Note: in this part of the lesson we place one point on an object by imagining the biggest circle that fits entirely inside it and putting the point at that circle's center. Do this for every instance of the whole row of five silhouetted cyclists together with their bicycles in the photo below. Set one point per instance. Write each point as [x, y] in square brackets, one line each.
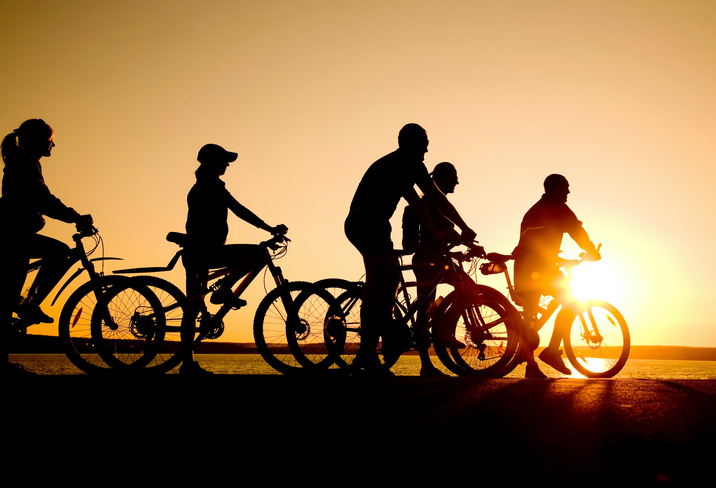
[133, 321]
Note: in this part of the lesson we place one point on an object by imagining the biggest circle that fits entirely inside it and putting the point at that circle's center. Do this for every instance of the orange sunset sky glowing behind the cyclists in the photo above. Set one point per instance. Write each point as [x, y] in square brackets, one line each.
[616, 95]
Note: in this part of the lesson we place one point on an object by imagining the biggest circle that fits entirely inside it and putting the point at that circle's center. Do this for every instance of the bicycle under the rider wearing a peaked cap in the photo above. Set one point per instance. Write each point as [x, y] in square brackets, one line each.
[157, 341]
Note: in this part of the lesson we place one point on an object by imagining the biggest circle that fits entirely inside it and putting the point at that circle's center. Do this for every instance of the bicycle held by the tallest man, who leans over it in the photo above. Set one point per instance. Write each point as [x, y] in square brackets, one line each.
[485, 323]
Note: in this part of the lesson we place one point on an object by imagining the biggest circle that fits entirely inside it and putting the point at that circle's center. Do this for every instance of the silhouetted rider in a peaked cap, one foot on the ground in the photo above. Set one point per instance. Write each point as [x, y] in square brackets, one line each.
[206, 228]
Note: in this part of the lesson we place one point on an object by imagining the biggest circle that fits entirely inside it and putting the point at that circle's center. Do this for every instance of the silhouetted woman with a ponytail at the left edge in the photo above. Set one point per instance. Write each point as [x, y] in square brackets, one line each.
[25, 200]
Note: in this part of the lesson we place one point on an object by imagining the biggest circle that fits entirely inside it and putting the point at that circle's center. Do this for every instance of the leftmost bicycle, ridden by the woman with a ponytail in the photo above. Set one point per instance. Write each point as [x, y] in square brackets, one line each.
[98, 296]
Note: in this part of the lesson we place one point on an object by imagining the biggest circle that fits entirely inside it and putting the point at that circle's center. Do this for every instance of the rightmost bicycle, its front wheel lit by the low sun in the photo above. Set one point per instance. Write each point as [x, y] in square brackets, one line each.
[598, 341]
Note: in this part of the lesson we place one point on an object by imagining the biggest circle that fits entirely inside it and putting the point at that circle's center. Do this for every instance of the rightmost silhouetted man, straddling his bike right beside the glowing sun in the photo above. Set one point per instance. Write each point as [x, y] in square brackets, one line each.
[536, 265]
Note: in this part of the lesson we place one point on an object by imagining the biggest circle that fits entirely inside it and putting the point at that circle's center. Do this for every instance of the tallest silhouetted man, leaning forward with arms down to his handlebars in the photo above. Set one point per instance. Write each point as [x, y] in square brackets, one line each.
[368, 228]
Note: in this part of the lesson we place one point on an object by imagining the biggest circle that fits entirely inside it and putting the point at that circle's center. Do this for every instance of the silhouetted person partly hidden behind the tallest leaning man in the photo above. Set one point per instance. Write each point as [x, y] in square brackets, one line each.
[428, 258]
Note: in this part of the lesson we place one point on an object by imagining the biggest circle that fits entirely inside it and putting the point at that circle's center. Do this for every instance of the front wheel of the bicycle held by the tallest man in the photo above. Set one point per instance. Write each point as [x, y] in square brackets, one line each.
[482, 356]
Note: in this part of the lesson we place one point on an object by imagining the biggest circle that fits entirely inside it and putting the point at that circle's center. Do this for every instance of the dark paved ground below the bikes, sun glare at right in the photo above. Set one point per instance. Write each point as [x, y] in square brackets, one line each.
[353, 431]
